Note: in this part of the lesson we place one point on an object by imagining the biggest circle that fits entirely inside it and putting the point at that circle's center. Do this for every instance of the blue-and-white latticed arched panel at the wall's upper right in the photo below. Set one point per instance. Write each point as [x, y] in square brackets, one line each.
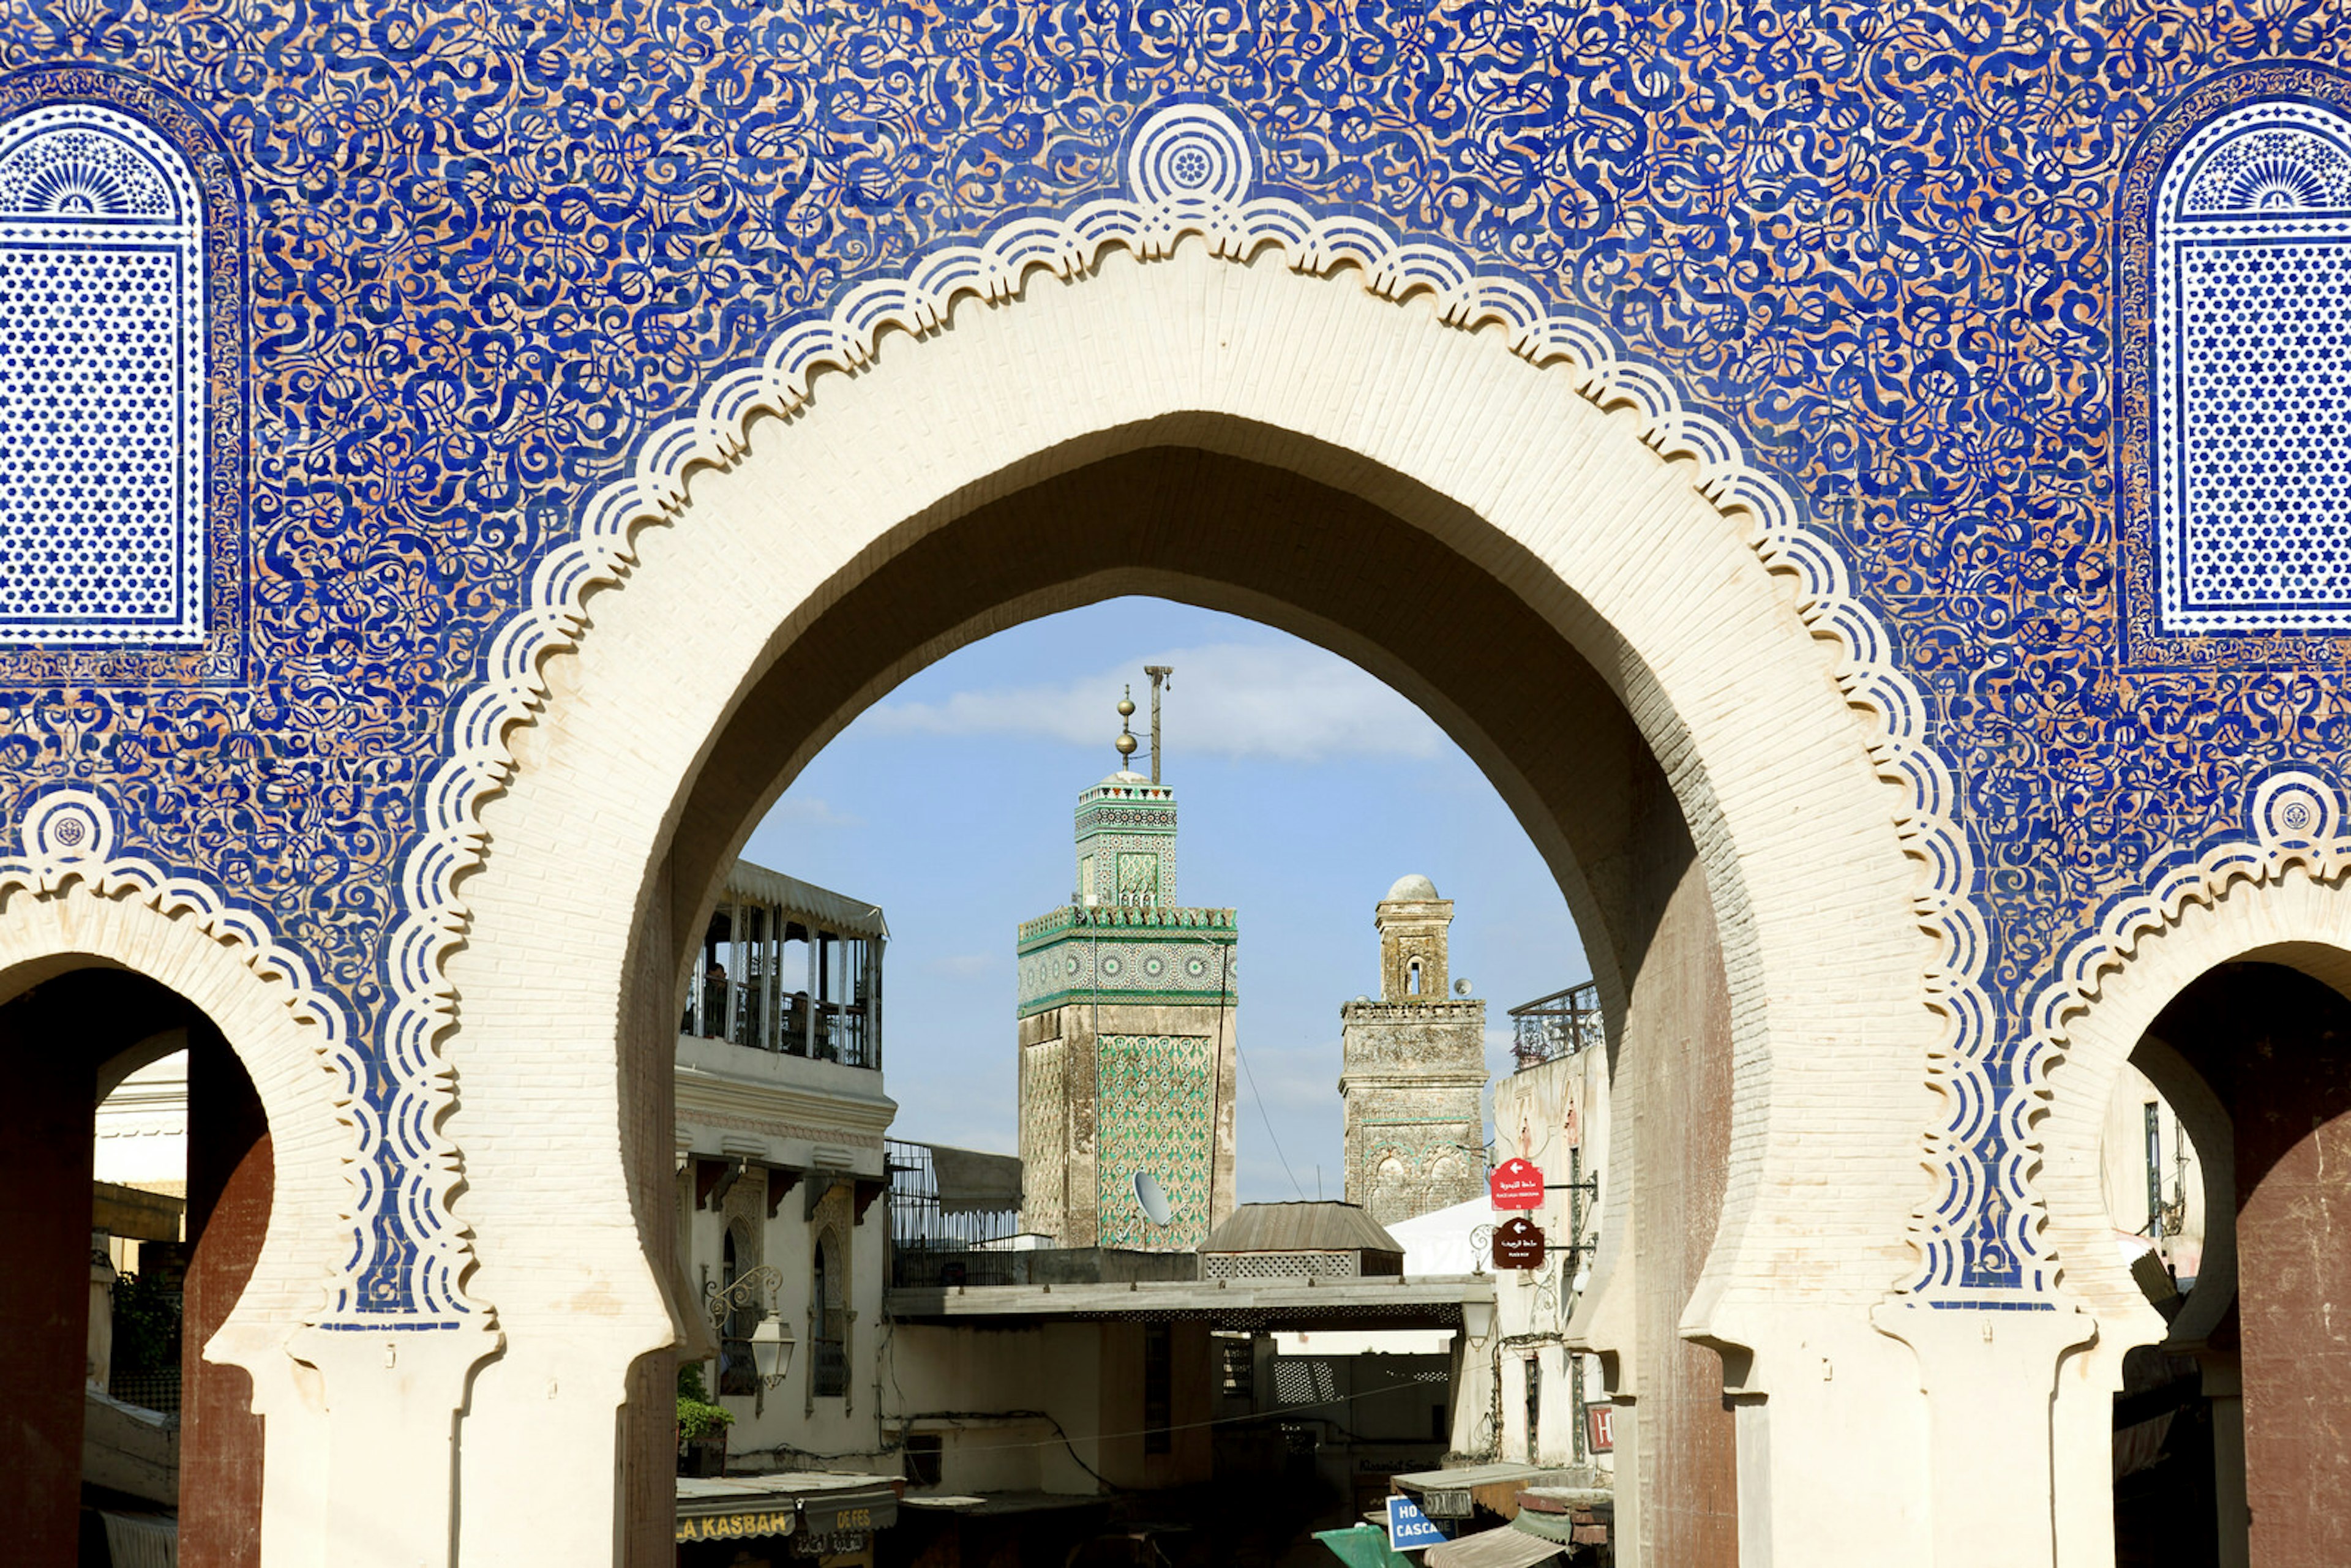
[2251, 326]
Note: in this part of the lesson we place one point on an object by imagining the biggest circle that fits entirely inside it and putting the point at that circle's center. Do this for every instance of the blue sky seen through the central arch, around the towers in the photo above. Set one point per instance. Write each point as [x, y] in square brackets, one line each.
[1306, 789]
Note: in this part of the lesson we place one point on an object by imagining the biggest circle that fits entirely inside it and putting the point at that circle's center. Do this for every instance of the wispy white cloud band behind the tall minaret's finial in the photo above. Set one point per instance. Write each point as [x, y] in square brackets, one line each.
[1228, 699]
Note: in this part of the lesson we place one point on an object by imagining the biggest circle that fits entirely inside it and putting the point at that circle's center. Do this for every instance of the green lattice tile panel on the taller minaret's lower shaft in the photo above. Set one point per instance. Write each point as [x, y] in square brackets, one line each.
[1156, 1111]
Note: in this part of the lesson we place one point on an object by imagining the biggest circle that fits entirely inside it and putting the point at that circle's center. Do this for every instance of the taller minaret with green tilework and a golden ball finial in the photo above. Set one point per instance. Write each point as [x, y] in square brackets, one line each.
[1127, 1038]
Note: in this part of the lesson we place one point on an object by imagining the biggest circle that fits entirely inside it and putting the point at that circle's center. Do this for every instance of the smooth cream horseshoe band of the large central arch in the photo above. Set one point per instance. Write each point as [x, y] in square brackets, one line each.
[1506, 462]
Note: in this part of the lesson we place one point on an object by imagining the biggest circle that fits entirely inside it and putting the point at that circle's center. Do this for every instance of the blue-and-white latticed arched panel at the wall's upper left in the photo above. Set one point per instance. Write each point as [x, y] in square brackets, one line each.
[105, 384]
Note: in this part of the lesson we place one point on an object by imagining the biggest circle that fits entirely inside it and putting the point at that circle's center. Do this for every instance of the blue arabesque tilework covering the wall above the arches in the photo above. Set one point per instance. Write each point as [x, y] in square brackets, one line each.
[457, 260]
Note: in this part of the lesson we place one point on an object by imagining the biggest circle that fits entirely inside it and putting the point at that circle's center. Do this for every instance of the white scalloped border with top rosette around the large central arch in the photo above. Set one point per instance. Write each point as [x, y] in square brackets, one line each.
[1191, 173]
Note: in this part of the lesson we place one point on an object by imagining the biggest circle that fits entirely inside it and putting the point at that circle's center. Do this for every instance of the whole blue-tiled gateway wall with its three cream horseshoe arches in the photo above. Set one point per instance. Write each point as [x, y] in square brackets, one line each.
[1866, 481]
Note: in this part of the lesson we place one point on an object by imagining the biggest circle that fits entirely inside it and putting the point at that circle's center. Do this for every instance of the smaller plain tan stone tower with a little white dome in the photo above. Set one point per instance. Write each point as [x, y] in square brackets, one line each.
[1414, 1071]
